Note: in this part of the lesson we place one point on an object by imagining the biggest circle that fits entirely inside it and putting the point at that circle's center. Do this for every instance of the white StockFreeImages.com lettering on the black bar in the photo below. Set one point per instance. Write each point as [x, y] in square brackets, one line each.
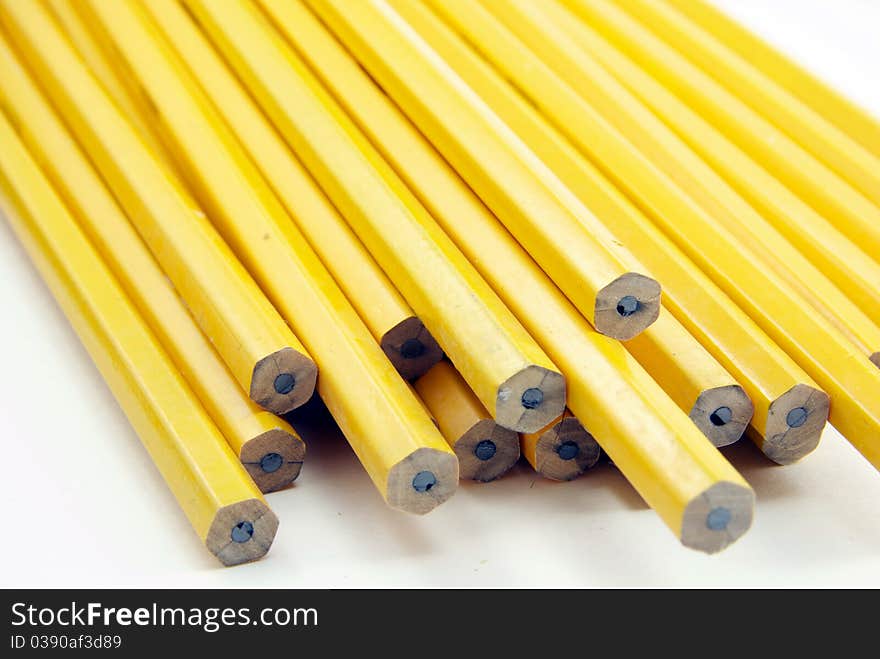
[210, 619]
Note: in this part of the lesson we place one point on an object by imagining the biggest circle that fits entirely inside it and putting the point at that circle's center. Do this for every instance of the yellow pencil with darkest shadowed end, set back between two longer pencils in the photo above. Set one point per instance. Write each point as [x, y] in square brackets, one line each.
[402, 336]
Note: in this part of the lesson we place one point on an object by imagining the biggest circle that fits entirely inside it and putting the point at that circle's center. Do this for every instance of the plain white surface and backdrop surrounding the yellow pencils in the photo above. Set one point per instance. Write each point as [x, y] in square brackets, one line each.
[85, 506]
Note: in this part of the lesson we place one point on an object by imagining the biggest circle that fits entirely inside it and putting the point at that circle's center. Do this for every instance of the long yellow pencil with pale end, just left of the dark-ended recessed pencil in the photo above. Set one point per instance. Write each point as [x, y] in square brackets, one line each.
[404, 454]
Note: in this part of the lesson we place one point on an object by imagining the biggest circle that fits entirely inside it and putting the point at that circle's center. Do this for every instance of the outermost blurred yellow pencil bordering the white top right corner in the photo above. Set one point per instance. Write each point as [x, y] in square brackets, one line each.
[836, 108]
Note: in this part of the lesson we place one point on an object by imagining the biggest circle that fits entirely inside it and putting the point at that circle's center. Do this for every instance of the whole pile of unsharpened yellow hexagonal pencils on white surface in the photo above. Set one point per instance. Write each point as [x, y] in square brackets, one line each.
[452, 219]
